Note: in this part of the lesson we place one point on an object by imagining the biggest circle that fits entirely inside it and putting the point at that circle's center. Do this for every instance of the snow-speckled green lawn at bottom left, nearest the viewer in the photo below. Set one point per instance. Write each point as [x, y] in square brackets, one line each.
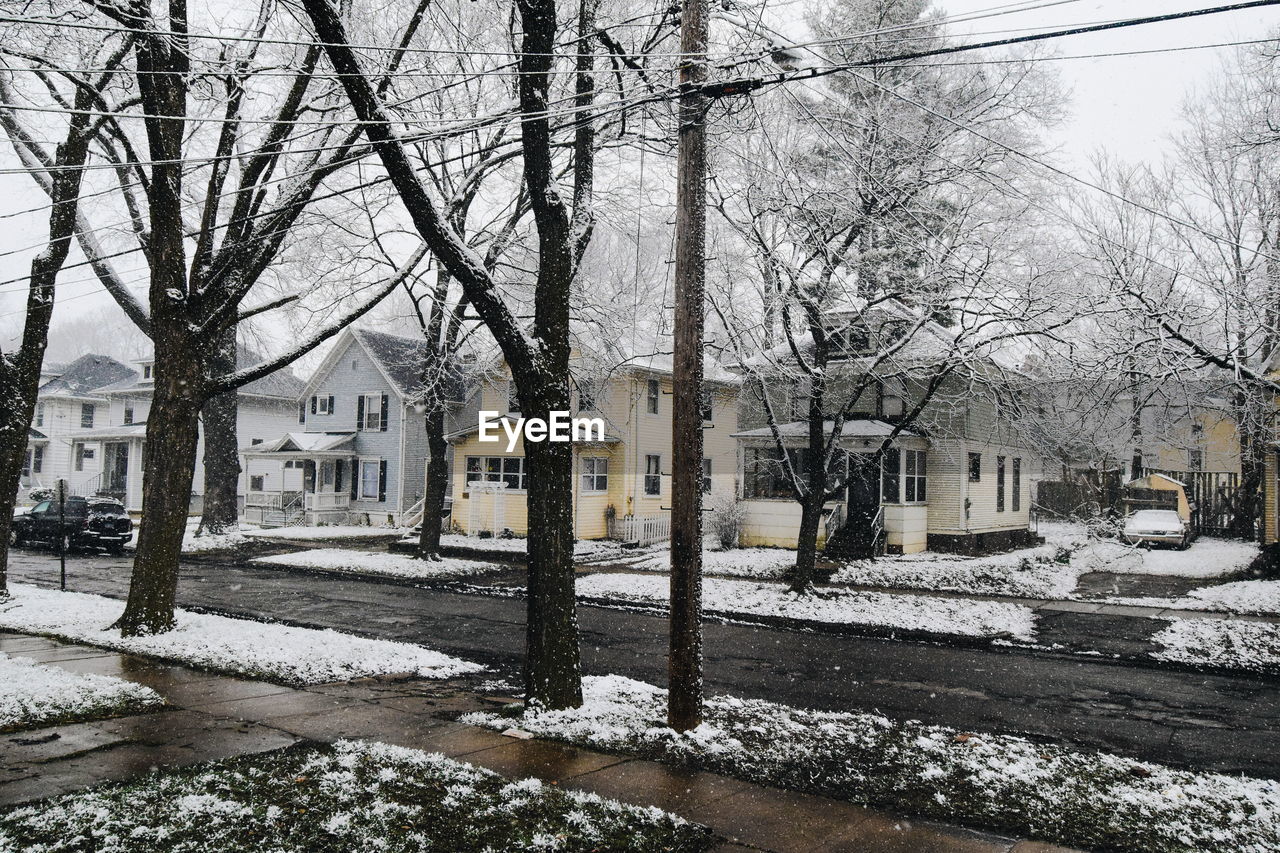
[353, 796]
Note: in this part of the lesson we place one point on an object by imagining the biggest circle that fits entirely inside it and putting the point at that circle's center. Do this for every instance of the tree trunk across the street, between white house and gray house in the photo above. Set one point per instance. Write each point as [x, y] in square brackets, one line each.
[222, 446]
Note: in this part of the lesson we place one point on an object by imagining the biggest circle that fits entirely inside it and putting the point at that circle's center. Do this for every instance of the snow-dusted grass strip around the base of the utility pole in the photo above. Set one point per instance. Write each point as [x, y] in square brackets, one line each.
[1049, 792]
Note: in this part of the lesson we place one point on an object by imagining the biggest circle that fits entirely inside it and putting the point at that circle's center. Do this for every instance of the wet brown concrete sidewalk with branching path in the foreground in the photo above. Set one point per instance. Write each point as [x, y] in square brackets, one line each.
[211, 717]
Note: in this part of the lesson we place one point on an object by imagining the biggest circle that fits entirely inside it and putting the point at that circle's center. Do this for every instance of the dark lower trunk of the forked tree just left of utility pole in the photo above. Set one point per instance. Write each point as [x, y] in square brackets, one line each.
[554, 677]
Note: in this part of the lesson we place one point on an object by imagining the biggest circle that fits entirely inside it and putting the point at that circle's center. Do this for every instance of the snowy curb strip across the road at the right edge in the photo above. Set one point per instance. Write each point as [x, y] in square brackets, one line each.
[1222, 642]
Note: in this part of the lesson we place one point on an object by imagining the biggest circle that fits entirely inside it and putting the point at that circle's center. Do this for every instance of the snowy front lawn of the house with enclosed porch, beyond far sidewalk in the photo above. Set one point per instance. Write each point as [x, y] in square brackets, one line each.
[1045, 572]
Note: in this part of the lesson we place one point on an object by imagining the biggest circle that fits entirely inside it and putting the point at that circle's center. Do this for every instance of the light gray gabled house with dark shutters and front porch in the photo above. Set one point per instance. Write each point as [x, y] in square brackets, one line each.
[359, 453]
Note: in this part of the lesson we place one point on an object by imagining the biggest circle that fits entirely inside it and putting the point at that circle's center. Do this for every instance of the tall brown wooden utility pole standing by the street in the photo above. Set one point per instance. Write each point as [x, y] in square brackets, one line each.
[685, 665]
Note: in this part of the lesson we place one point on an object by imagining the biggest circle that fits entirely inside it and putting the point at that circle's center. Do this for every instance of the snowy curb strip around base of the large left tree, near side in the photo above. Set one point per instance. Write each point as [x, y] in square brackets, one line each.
[240, 646]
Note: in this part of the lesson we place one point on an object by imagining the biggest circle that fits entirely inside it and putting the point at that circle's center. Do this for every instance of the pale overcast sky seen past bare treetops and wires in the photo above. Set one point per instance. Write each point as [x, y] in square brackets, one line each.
[1128, 106]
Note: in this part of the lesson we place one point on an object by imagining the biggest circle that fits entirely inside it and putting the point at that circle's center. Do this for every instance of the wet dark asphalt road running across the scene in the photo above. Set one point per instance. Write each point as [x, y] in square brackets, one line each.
[1205, 722]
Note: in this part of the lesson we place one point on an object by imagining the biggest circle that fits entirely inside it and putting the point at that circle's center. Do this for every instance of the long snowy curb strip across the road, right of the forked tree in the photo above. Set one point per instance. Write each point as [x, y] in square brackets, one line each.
[828, 605]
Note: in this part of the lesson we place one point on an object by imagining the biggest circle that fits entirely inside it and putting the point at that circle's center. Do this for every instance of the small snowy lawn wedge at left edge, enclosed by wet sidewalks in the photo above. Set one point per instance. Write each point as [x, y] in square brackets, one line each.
[39, 696]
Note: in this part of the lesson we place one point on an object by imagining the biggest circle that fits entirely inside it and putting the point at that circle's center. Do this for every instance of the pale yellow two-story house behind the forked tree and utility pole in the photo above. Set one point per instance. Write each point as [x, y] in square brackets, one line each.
[623, 481]
